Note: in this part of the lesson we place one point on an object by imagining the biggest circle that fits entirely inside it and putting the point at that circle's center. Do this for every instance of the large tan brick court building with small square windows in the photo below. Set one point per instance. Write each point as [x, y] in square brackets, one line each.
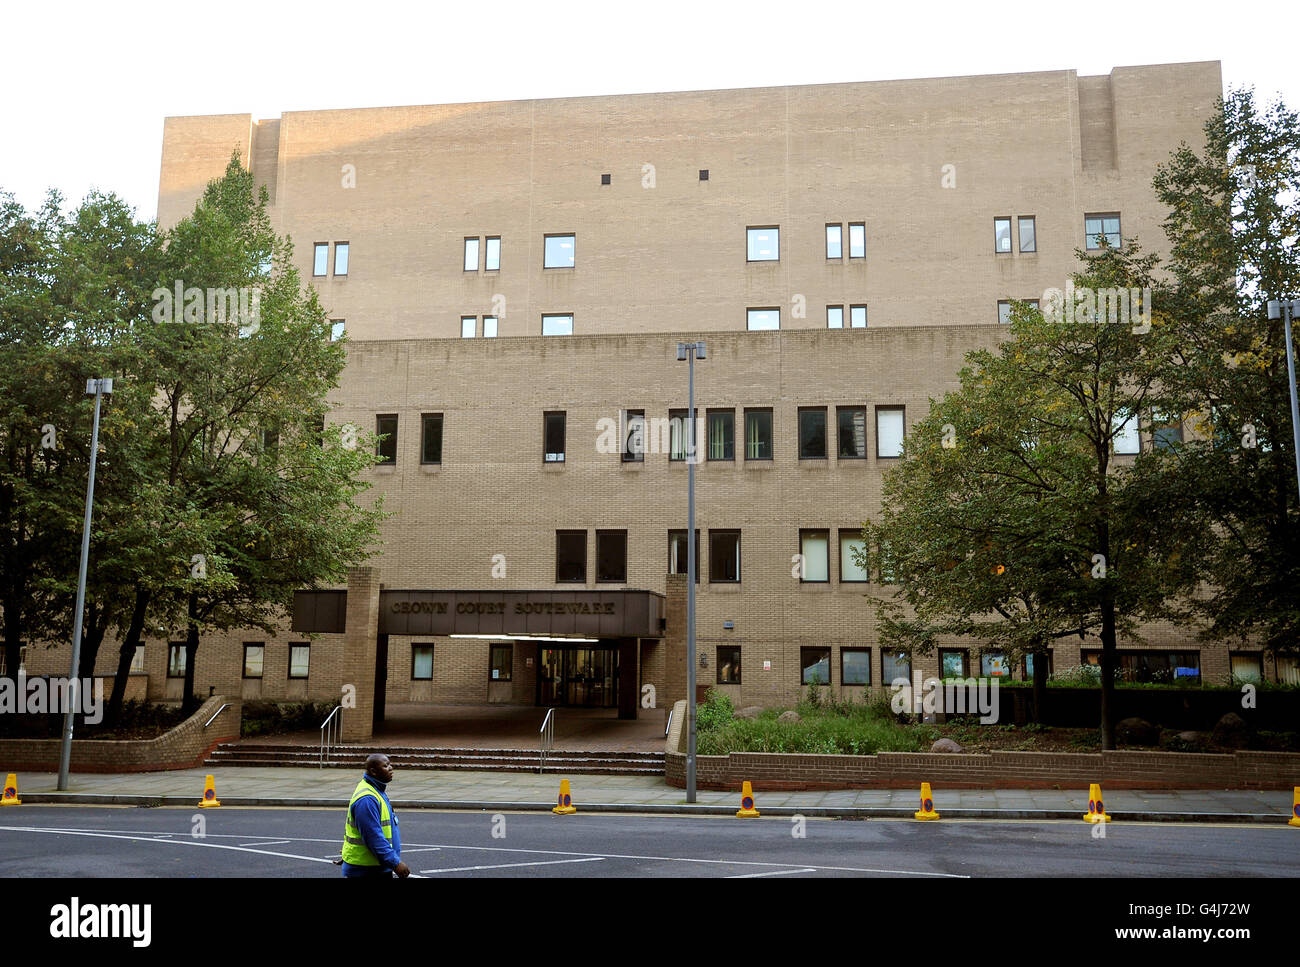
[514, 280]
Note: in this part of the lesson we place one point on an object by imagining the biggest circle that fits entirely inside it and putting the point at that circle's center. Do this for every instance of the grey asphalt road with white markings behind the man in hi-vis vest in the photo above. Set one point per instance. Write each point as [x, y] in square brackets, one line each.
[109, 842]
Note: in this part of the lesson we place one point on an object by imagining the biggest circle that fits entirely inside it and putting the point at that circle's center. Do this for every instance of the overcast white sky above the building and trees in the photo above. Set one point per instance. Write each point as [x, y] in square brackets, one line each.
[86, 85]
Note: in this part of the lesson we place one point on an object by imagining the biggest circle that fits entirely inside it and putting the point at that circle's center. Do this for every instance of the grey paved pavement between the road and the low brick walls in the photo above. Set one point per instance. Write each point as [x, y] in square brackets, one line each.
[246, 786]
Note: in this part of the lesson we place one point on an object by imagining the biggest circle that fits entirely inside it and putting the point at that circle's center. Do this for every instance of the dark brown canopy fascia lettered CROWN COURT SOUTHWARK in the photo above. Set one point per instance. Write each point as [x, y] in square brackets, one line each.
[536, 614]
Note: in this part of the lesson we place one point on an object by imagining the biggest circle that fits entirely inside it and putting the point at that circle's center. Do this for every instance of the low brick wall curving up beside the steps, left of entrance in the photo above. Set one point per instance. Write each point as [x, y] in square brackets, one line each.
[181, 748]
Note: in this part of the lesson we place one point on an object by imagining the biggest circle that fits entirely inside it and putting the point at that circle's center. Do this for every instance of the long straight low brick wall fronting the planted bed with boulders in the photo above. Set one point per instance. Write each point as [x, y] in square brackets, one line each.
[1120, 770]
